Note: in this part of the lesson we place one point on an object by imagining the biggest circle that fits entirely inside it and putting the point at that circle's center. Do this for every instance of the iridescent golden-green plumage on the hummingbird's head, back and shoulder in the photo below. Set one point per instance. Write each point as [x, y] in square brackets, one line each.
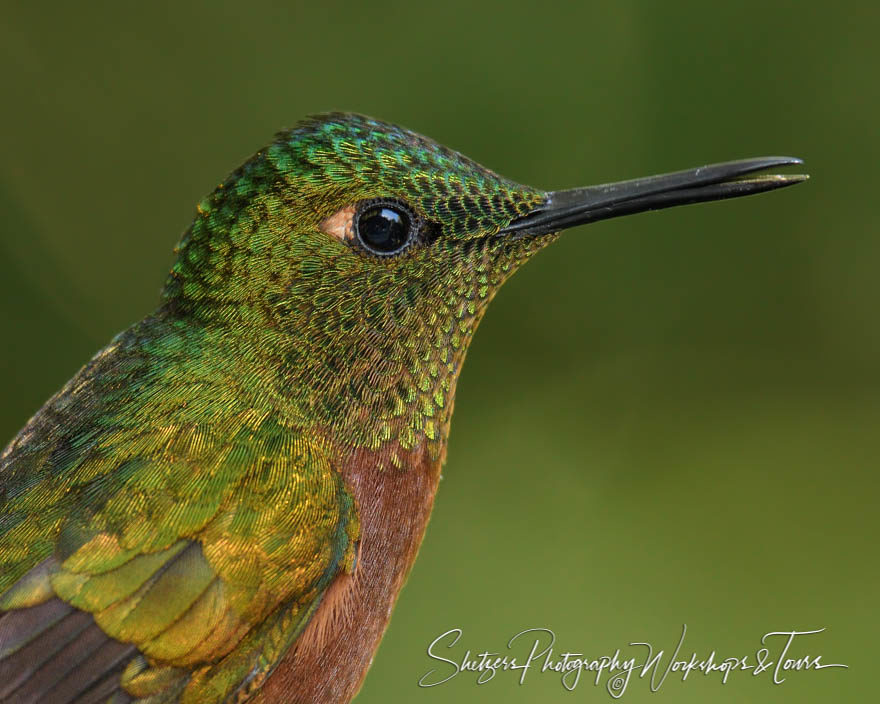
[182, 488]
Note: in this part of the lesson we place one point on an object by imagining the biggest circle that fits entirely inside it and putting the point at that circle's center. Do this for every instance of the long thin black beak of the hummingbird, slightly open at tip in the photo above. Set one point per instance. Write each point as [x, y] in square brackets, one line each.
[579, 206]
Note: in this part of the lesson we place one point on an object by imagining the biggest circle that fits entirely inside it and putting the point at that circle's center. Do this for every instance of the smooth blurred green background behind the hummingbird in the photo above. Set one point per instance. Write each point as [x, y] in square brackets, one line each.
[665, 419]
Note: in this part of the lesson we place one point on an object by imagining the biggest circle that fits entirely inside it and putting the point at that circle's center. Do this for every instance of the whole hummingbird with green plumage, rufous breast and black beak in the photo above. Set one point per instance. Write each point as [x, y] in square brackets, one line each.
[224, 503]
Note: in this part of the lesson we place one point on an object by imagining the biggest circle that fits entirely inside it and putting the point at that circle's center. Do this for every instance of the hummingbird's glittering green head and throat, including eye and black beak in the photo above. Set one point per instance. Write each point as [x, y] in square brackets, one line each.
[354, 259]
